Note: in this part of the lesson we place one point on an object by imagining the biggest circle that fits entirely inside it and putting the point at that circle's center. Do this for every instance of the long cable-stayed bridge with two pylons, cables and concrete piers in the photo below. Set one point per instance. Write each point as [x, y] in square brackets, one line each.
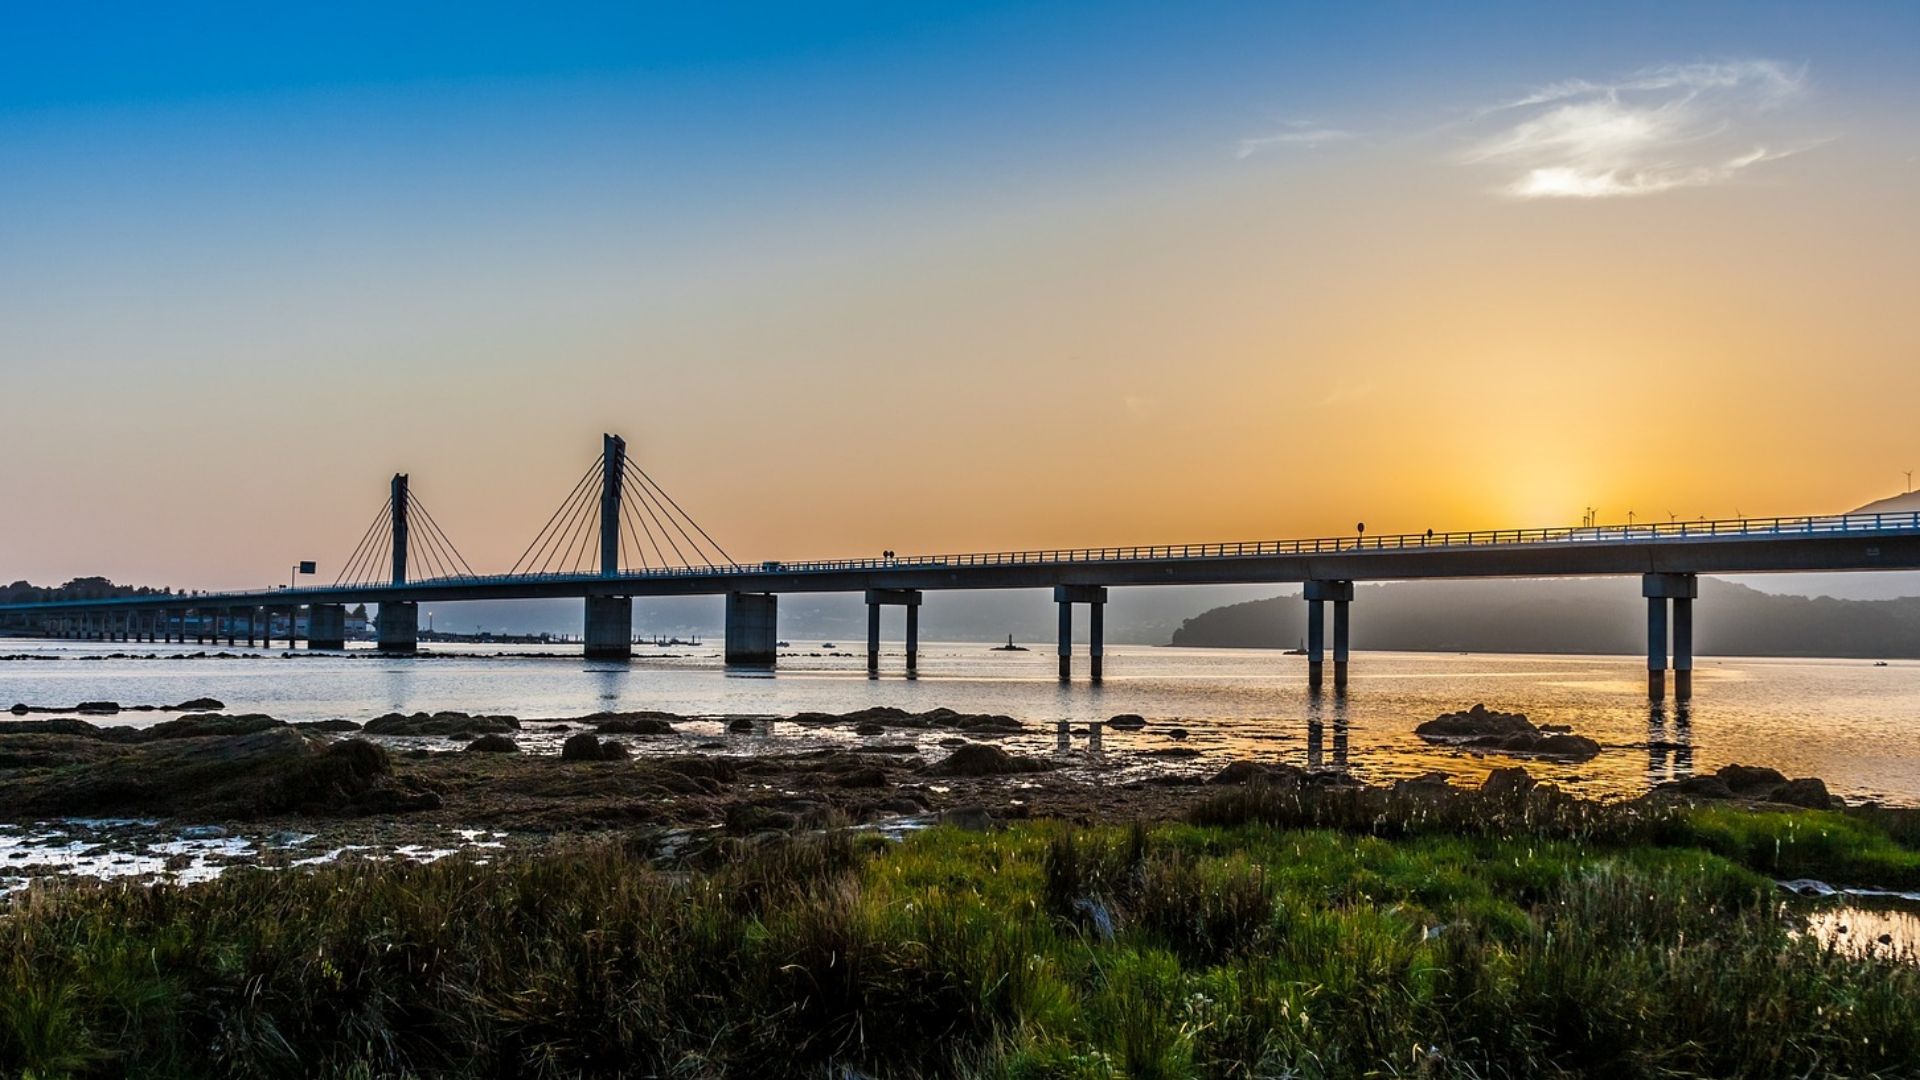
[596, 547]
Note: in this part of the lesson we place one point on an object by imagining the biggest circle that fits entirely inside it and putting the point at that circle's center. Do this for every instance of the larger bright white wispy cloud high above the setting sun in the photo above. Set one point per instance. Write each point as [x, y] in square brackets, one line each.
[1652, 132]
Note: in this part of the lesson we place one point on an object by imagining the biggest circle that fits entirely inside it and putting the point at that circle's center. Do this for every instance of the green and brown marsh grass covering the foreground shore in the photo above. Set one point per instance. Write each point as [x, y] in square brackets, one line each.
[1614, 948]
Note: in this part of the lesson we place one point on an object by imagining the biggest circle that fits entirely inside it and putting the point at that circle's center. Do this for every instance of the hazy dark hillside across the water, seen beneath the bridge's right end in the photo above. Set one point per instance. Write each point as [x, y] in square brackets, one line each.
[1589, 616]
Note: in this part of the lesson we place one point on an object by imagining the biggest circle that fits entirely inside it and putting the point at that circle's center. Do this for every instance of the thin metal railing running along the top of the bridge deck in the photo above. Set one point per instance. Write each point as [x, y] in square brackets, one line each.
[1481, 539]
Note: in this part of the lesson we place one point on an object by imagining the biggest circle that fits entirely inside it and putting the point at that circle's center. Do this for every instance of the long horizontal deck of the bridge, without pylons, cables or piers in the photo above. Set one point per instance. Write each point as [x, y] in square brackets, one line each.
[1781, 545]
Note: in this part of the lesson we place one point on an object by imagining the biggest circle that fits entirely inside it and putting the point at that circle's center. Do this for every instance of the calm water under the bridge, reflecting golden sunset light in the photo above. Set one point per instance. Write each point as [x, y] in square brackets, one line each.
[1850, 724]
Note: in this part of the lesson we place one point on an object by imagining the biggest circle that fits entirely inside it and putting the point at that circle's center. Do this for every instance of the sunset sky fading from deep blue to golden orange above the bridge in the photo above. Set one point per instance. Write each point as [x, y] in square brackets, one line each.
[936, 278]
